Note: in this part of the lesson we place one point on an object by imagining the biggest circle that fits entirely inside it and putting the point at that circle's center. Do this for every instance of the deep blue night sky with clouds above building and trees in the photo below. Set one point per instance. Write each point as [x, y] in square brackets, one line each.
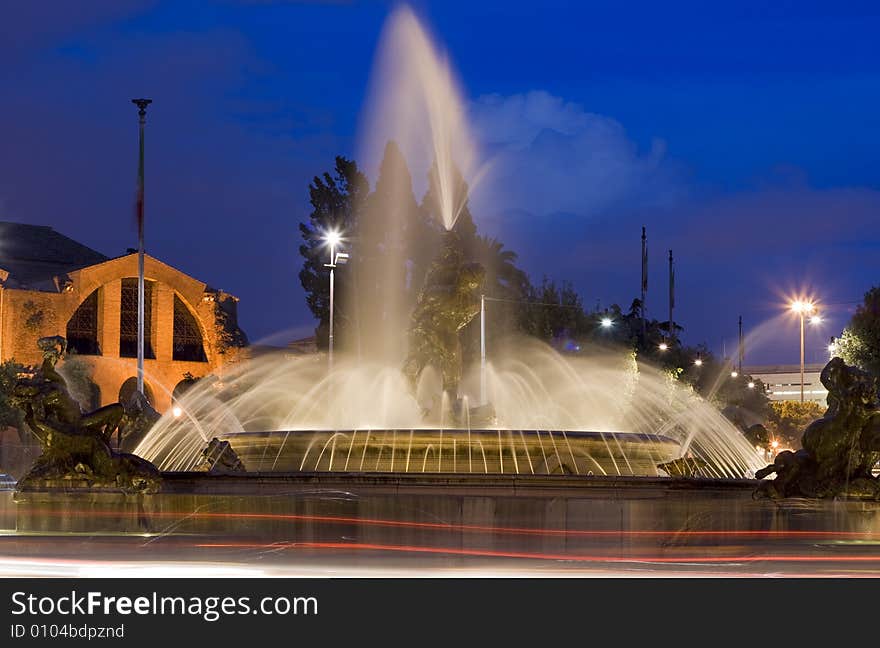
[744, 135]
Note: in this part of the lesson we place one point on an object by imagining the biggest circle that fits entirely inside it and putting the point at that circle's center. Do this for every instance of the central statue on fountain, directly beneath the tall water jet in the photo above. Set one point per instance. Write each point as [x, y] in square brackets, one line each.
[448, 301]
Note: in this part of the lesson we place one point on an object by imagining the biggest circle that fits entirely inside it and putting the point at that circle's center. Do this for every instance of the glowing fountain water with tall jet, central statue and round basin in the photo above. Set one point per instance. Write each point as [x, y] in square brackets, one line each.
[409, 405]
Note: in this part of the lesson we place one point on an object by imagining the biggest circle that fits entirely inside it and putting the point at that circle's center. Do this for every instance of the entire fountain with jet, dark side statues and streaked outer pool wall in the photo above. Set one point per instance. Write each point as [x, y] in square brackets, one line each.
[405, 448]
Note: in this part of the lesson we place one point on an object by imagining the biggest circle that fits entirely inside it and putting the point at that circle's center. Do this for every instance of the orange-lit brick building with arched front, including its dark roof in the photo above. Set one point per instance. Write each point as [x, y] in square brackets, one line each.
[52, 285]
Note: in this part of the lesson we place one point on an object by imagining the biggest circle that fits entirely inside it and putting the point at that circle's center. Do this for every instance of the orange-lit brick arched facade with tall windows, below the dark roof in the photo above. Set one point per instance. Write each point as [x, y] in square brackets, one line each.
[96, 309]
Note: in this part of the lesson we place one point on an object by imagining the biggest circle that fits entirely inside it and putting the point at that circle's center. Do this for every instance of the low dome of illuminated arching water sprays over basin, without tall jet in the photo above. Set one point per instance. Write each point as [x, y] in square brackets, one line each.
[602, 415]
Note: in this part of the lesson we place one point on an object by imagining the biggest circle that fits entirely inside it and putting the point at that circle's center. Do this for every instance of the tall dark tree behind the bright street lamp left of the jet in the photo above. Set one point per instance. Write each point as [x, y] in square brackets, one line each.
[335, 199]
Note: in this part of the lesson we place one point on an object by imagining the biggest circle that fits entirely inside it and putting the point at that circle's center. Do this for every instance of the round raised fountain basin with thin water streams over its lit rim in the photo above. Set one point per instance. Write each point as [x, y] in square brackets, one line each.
[461, 451]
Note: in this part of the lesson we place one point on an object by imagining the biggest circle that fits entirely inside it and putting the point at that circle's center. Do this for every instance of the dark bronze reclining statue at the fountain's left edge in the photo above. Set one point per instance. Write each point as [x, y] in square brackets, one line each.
[75, 444]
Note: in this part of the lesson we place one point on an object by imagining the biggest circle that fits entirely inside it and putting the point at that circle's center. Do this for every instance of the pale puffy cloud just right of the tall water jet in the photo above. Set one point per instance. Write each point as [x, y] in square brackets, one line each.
[550, 156]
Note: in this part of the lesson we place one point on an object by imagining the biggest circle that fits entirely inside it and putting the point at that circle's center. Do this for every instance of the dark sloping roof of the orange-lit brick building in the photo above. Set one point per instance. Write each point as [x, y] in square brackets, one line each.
[33, 255]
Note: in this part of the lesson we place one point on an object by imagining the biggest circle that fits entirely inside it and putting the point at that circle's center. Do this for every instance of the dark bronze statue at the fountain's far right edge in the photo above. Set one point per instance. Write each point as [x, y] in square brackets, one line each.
[839, 450]
